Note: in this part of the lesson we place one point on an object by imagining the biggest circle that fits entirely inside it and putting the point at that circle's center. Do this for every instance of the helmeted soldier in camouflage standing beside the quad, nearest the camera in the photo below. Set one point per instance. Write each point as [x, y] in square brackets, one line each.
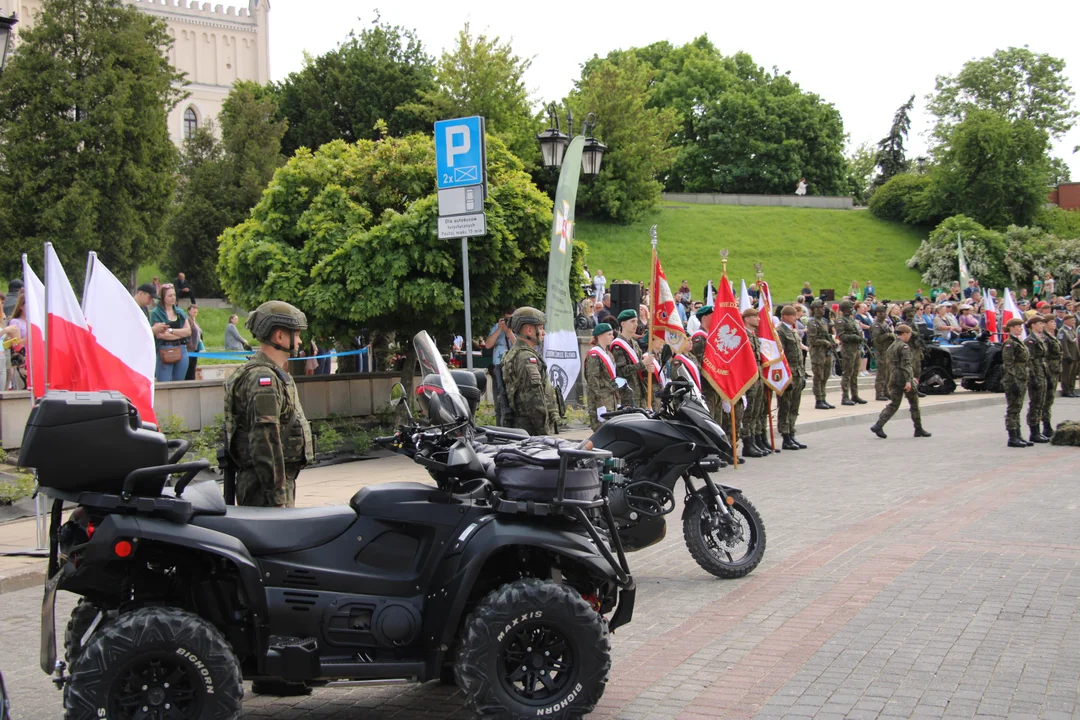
[269, 439]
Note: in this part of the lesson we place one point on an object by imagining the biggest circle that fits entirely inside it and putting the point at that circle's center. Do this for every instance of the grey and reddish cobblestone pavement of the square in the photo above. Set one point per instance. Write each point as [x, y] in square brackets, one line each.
[903, 578]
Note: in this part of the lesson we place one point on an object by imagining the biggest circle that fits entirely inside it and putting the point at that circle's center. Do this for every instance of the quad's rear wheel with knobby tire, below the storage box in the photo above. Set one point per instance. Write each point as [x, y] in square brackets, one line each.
[152, 659]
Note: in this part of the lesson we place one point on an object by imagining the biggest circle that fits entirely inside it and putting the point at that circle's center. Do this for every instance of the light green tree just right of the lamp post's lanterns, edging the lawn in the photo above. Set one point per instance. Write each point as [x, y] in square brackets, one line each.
[637, 138]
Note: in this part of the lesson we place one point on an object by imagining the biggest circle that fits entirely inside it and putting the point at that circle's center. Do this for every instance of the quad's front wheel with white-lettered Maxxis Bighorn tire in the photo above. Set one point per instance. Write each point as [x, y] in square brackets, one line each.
[533, 649]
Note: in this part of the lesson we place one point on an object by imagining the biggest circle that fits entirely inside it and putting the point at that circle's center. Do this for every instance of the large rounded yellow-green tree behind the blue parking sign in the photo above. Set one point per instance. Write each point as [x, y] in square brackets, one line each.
[349, 235]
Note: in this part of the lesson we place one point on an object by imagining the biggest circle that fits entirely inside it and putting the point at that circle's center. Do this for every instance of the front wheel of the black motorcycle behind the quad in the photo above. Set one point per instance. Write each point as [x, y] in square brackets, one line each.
[711, 553]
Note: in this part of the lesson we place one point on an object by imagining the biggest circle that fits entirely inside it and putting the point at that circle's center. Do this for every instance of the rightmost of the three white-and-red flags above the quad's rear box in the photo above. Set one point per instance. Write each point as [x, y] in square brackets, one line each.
[125, 348]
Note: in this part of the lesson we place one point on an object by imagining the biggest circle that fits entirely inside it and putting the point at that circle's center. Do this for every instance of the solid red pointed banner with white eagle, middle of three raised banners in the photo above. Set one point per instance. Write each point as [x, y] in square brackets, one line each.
[730, 362]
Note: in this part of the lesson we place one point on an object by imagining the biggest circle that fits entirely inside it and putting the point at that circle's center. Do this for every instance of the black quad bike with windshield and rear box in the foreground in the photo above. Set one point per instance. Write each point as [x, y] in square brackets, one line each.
[503, 588]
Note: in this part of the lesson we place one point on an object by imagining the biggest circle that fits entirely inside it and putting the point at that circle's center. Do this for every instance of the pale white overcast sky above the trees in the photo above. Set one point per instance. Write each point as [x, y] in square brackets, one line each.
[865, 58]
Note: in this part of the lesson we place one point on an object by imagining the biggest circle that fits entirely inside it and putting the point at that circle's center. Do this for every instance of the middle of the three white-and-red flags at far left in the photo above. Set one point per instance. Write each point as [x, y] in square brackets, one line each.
[71, 349]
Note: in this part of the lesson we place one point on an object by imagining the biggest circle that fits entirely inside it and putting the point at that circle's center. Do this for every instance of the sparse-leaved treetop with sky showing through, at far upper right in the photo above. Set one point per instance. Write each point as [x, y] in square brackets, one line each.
[1015, 84]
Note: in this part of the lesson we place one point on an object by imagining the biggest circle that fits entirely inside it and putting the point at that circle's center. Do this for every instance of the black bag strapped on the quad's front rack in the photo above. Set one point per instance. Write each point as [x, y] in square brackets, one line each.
[530, 471]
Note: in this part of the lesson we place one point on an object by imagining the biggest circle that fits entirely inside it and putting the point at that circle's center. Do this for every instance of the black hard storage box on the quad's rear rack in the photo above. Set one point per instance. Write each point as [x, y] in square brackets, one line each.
[90, 442]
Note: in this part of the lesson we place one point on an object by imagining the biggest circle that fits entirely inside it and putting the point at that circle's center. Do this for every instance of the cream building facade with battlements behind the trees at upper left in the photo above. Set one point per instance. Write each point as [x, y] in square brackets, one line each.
[215, 46]
